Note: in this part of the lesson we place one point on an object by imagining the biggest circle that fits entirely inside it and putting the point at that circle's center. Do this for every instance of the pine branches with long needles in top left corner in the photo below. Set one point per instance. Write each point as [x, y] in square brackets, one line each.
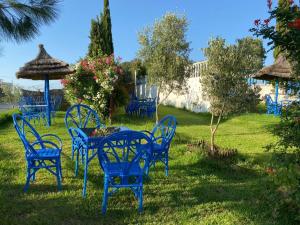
[20, 20]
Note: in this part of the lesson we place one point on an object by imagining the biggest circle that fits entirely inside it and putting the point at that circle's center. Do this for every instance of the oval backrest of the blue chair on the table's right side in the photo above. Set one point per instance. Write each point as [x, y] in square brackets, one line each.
[164, 130]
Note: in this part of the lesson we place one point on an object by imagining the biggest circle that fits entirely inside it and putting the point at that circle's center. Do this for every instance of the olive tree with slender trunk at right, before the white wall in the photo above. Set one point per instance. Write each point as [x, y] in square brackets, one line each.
[224, 80]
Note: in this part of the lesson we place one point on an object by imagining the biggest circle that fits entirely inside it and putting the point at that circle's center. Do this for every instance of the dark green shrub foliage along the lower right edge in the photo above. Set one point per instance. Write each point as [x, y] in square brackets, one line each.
[285, 170]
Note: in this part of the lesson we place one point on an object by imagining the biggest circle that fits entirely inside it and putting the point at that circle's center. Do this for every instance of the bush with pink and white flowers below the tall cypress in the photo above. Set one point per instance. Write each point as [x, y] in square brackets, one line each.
[93, 83]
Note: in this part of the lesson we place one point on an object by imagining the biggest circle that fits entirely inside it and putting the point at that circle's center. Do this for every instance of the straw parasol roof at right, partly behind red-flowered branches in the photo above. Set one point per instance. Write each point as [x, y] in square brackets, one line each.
[280, 69]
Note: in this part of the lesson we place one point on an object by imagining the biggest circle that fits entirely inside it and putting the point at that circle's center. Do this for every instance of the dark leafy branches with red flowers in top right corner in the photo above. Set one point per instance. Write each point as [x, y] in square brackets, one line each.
[285, 36]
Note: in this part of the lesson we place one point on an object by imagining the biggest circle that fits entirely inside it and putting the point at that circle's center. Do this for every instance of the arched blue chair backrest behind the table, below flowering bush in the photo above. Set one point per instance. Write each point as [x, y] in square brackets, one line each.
[81, 116]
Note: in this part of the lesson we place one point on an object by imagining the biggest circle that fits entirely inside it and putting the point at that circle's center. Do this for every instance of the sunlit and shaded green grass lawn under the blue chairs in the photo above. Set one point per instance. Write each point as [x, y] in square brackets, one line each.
[198, 190]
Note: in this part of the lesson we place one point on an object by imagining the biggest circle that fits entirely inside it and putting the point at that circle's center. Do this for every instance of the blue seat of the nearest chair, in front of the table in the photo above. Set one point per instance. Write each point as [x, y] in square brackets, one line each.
[120, 169]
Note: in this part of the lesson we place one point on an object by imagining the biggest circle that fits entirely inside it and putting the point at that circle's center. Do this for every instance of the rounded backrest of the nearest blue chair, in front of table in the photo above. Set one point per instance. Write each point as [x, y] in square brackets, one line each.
[124, 149]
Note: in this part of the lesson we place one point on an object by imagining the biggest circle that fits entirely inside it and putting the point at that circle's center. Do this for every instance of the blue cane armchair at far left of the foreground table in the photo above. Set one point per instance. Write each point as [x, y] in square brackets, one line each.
[40, 151]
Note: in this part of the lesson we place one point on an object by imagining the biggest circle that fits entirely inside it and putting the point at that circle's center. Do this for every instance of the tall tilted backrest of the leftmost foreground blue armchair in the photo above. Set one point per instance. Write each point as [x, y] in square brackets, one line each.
[27, 134]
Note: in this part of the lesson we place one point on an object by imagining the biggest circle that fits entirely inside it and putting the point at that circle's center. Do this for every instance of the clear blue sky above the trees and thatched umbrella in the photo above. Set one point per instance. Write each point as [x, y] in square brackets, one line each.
[67, 39]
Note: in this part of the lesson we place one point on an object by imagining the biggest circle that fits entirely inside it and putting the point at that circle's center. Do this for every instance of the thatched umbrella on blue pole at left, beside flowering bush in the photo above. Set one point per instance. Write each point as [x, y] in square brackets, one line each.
[44, 67]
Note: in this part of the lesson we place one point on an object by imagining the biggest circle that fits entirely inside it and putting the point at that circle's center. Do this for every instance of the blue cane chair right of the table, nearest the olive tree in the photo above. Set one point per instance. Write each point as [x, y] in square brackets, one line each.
[161, 136]
